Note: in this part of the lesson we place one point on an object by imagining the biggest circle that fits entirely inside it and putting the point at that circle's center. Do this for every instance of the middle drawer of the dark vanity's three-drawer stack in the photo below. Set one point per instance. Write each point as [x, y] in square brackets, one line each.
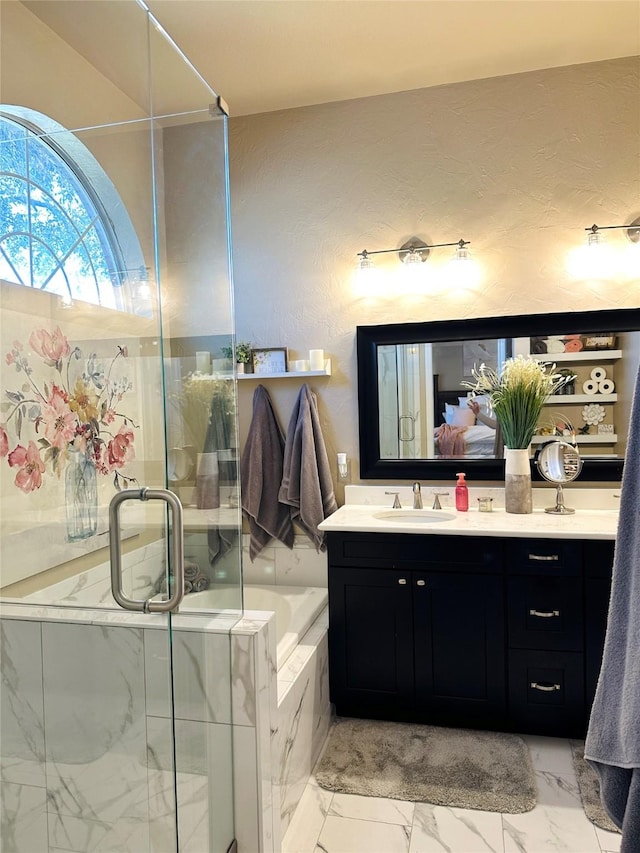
[545, 613]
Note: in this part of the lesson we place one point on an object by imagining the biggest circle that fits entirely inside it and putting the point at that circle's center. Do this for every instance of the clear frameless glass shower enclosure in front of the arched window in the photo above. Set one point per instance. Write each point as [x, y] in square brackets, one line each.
[114, 280]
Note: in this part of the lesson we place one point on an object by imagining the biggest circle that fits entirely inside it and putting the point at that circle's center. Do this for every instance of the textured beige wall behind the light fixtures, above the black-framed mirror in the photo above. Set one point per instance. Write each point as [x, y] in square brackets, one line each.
[519, 165]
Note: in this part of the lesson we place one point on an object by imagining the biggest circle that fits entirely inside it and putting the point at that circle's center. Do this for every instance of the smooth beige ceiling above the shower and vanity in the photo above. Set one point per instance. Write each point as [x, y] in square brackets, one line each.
[264, 55]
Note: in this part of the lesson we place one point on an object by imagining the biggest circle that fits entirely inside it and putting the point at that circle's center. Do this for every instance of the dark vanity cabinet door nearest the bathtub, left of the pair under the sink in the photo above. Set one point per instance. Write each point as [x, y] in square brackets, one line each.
[370, 642]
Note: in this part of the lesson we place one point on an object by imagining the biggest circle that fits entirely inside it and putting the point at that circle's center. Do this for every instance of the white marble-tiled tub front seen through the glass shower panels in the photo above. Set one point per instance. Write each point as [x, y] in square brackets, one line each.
[86, 757]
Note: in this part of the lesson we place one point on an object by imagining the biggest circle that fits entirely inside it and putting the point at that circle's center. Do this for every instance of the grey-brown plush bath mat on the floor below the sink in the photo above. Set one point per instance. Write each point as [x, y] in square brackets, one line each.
[448, 767]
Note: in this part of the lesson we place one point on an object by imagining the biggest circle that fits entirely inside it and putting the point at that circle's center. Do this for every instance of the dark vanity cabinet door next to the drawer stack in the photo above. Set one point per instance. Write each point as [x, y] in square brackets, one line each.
[459, 649]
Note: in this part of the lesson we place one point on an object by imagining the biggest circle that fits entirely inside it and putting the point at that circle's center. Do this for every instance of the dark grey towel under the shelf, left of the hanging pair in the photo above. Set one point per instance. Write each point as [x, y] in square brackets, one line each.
[261, 475]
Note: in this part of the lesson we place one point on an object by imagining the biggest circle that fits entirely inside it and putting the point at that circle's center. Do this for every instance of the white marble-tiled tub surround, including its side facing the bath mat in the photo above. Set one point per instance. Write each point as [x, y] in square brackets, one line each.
[85, 749]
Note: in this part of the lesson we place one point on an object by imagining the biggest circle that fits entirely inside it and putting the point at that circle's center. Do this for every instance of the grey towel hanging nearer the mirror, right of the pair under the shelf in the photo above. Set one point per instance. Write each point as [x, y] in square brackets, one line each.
[307, 486]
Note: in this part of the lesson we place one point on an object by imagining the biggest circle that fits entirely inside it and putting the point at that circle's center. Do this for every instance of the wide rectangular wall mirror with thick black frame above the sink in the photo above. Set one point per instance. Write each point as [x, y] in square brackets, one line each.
[410, 379]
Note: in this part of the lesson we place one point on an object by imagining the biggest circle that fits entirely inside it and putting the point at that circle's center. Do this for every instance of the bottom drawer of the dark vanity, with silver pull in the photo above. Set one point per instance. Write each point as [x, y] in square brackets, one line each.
[546, 692]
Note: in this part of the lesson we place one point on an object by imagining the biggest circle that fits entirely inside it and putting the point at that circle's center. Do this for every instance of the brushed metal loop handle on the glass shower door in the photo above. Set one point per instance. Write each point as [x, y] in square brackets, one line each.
[177, 550]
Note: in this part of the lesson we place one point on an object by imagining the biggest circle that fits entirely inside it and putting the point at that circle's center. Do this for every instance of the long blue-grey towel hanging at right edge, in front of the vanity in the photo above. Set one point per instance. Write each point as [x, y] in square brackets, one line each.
[613, 740]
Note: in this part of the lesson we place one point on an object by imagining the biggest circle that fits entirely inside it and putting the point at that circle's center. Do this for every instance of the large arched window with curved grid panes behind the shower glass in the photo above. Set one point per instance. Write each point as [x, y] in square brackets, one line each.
[63, 226]
